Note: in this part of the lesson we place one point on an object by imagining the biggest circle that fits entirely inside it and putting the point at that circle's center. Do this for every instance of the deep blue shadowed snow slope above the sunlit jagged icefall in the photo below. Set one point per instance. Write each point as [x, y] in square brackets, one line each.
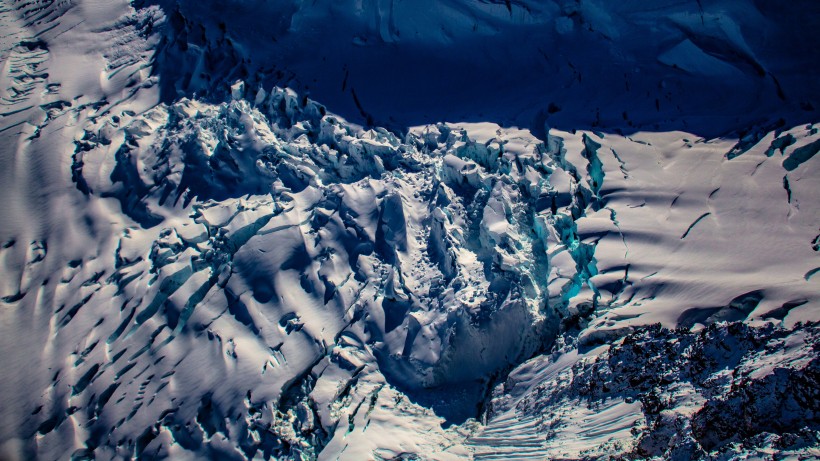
[706, 67]
